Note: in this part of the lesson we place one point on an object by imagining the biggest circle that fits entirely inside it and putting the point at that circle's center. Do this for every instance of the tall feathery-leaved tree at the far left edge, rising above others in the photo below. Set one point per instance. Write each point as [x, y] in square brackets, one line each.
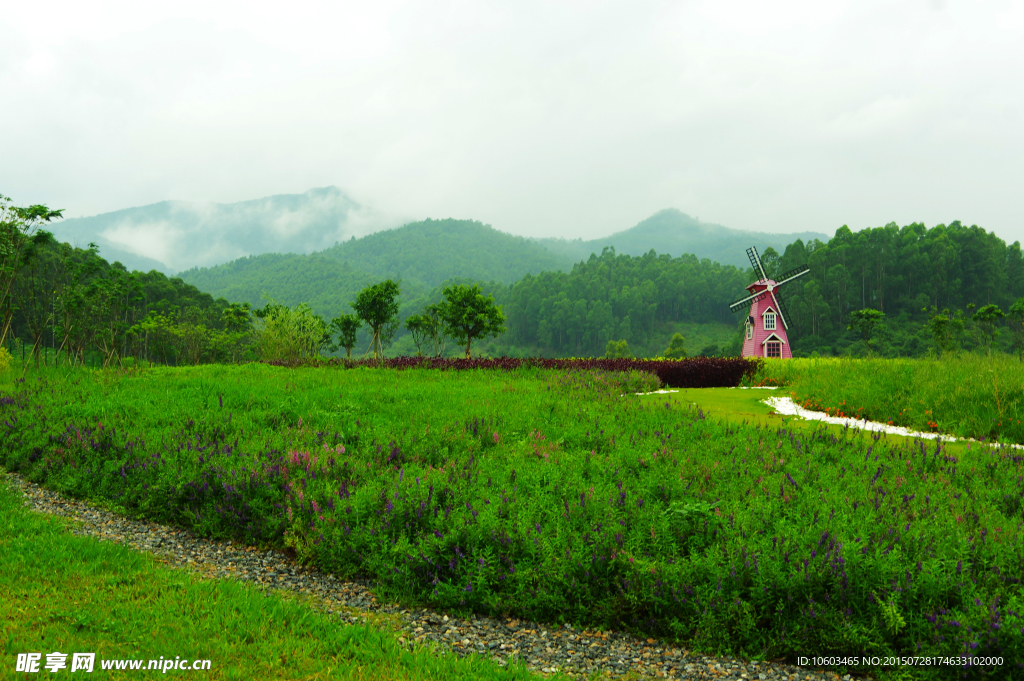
[20, 238]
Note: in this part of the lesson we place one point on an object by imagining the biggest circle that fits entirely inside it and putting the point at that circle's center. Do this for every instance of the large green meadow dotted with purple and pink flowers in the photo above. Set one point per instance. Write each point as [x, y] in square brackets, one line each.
[559, 496]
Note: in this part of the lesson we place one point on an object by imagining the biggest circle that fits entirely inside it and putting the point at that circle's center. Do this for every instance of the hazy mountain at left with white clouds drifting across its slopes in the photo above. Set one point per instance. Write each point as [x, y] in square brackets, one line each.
[174, 236]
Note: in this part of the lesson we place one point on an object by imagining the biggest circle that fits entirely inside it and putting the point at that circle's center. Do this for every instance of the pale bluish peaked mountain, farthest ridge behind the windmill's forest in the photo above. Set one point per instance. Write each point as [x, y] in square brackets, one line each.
[674, 233]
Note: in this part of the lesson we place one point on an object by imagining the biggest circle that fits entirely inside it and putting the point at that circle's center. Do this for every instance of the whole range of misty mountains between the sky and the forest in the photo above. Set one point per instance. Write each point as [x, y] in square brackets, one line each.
[175, 236]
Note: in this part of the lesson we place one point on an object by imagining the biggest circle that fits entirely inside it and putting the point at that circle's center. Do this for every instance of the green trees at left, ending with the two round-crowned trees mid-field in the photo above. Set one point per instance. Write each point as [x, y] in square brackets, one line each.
[73, 303]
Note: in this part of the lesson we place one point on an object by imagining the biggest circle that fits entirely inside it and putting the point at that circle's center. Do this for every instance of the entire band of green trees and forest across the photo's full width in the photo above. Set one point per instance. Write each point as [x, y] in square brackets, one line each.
[890, 291]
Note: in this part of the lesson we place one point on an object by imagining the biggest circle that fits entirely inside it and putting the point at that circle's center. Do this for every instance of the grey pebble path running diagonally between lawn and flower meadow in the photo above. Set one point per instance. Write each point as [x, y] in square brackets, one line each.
[544, 649]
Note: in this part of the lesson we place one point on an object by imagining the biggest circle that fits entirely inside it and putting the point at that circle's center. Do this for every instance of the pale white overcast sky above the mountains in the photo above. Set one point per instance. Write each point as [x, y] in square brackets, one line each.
[574, 119]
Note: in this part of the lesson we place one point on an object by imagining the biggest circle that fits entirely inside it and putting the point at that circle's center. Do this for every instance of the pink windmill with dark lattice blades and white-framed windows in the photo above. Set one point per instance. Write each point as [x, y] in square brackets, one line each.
[764, 336]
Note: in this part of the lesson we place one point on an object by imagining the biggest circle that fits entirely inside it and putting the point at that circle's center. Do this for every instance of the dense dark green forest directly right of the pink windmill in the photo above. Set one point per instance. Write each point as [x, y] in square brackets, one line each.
[935, 290]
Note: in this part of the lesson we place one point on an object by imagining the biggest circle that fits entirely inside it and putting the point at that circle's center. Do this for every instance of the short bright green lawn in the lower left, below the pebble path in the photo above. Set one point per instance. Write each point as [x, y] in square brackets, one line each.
[76, 594]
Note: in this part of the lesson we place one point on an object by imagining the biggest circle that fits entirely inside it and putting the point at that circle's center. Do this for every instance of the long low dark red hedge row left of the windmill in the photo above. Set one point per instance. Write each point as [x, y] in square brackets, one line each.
[694, 373]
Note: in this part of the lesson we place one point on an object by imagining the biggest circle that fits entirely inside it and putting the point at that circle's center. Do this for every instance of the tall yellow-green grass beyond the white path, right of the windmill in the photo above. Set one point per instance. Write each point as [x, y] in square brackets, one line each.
[969, 396]
